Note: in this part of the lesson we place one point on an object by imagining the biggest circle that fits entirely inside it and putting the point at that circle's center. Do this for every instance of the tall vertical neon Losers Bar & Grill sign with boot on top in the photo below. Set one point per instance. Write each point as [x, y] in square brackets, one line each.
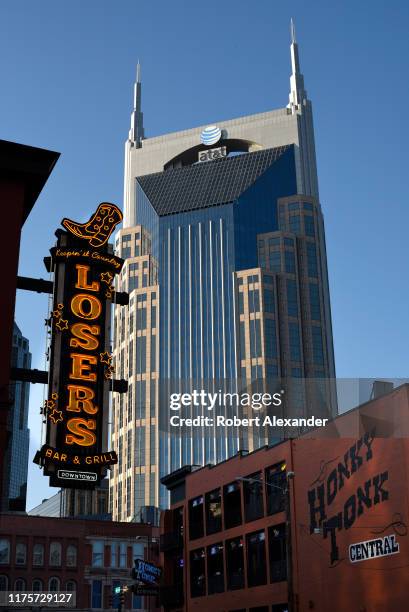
[80, 363]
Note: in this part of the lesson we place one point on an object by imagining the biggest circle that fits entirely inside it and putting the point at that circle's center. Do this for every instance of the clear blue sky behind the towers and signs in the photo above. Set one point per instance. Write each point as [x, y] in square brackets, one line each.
[66, 73]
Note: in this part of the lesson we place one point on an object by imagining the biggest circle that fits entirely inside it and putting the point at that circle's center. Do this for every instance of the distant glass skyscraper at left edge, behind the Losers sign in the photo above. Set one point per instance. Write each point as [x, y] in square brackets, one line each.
[18, 434]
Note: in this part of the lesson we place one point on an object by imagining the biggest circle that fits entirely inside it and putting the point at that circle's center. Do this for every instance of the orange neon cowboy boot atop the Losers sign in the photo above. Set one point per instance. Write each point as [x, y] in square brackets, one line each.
[100, 226]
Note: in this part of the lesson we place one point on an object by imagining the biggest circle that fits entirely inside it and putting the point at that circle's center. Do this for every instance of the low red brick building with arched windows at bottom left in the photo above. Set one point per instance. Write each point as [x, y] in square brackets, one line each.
[86, 556]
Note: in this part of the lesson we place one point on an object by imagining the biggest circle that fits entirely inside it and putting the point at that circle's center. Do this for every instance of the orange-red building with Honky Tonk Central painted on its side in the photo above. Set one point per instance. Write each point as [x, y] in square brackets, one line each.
[224, 544]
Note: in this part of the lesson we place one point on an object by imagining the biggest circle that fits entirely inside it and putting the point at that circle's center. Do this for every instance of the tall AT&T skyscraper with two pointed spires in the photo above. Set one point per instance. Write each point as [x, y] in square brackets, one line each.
[226, 267]
